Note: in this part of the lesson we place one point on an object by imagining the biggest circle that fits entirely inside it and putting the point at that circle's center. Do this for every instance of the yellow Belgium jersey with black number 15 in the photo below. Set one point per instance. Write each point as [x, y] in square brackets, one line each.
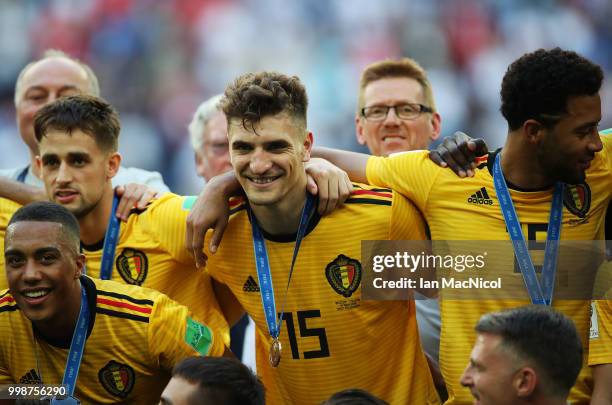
[331, 339]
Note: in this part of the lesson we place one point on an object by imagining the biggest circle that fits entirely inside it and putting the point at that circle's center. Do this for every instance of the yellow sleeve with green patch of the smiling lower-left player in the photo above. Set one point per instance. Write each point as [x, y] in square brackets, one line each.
[174, 334]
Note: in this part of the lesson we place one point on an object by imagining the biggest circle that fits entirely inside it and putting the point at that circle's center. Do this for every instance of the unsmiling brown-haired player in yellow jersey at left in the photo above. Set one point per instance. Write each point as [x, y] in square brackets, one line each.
[78, 138]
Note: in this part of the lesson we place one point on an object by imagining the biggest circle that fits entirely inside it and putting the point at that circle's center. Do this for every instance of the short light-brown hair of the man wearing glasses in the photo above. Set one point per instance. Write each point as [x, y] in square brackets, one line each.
[402, 68]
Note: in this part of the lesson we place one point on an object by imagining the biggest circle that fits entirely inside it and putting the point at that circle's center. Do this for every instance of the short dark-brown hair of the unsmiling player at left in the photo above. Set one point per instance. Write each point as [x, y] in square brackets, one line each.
[89, 114]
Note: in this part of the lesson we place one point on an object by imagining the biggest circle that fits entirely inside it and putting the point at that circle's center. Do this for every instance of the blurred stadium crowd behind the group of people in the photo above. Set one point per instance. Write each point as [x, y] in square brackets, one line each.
[157, 60]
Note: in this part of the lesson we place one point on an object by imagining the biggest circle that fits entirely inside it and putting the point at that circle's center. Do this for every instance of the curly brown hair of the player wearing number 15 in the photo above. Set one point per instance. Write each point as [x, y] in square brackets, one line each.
[254, 96]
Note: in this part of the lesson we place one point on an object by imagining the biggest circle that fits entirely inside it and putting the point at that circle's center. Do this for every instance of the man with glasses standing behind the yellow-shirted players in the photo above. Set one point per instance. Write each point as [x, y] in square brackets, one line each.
[396, 112]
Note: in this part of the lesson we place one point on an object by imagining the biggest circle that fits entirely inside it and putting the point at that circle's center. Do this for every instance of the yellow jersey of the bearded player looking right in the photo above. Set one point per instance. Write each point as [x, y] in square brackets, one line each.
[468, 209]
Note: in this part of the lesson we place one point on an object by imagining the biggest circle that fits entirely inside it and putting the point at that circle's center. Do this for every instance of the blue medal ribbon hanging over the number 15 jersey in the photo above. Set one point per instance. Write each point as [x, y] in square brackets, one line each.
[263, 267]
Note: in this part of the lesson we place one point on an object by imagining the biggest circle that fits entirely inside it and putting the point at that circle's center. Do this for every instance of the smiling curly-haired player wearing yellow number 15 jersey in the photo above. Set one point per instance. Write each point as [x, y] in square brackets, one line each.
[330, 339]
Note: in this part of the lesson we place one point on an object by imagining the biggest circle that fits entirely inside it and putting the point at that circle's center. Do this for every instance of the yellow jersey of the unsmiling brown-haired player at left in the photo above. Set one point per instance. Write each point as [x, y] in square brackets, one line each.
[151, 253]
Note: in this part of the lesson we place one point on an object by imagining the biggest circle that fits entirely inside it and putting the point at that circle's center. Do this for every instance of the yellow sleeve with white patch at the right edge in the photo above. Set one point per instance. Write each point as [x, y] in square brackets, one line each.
[600, 342]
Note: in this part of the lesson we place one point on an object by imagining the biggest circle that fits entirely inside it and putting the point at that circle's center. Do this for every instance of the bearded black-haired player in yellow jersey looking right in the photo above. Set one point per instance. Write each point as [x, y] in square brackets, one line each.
[551, 101]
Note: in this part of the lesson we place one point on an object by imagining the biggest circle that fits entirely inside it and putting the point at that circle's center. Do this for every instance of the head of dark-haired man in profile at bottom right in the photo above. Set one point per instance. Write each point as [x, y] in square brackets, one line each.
[517, 358]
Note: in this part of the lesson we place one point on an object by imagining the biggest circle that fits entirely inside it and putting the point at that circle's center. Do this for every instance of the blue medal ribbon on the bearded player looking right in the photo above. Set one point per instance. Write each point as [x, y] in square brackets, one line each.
[540, 294]
